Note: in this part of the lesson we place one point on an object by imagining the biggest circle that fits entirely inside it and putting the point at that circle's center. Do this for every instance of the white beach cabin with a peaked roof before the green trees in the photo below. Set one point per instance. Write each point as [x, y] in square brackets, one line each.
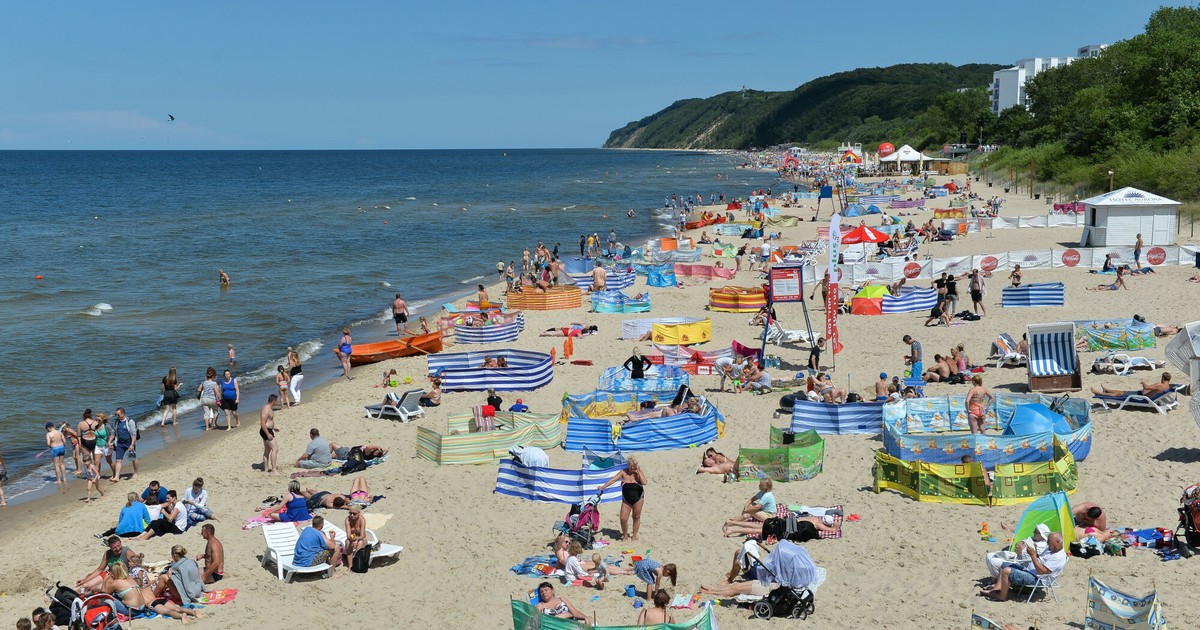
[1117, 218]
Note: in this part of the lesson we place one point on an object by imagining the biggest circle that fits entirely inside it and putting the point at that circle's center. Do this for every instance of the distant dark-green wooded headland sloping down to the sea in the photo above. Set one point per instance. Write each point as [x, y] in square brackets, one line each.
[915, 103]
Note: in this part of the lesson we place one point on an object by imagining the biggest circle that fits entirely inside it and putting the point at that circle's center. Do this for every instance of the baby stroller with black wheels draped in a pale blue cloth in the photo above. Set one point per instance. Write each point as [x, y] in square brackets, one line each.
[791, 567]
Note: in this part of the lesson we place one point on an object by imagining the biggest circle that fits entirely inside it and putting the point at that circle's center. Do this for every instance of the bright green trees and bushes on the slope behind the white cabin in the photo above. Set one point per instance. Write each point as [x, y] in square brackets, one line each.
[1135, 111]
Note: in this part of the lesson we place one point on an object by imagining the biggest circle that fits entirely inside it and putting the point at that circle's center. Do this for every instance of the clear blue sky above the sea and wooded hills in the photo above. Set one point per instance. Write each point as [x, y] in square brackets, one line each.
[434, 75]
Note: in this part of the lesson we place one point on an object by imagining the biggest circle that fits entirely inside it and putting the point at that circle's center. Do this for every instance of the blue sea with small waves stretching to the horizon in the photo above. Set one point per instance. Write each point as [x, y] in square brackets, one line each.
[111, 262]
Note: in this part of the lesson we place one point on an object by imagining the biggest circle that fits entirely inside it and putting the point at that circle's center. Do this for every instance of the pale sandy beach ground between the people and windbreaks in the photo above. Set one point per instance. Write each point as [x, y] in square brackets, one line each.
[905, 565]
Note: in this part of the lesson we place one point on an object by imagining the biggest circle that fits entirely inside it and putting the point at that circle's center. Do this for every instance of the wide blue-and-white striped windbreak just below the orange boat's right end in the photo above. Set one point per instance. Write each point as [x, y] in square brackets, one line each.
[463, 373]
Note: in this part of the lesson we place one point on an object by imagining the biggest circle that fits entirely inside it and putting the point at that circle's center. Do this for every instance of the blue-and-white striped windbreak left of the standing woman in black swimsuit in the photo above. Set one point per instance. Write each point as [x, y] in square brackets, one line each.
[555, 485]
